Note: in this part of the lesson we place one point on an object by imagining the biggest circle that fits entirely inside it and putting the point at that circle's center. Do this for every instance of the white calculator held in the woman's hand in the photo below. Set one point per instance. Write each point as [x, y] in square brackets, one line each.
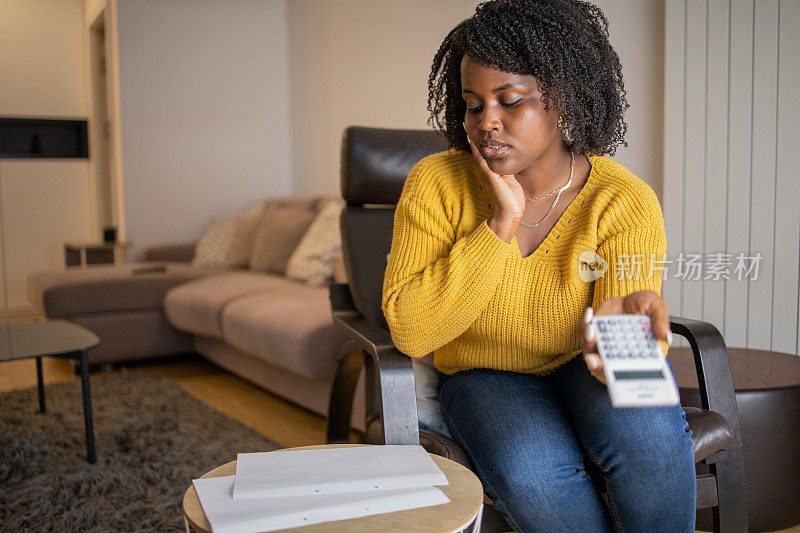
[636, 371]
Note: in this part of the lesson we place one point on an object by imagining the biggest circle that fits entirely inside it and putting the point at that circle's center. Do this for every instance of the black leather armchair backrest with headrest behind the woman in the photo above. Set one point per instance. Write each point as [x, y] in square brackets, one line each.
[375, 165]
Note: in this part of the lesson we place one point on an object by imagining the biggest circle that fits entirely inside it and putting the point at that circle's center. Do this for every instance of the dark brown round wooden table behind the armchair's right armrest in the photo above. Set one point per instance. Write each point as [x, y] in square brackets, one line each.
[767, 386]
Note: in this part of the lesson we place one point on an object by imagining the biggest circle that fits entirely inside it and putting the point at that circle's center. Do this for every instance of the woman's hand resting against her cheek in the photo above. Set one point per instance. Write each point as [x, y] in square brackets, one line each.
[506, 197]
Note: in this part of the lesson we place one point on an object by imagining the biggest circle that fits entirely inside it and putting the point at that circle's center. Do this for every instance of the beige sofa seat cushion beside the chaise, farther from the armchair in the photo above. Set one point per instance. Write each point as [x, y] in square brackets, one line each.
[196, 307]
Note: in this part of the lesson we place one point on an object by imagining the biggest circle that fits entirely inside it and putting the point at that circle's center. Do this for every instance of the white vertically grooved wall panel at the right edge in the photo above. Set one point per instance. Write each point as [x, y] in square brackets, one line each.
[731, 123]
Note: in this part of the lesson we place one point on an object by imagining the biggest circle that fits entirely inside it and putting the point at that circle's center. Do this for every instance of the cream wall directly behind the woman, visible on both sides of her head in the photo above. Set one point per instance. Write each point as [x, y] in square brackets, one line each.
[365, 62]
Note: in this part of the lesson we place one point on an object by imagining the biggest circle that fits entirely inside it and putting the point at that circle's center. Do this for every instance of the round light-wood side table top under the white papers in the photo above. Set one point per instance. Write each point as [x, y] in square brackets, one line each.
[465, 508]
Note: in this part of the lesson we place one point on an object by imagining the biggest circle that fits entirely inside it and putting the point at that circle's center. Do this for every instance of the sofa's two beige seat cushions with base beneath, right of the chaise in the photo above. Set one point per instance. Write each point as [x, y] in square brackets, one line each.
[270, 330]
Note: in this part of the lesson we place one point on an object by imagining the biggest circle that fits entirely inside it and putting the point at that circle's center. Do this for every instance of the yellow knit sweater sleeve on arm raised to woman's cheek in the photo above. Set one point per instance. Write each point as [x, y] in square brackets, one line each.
[436, 284]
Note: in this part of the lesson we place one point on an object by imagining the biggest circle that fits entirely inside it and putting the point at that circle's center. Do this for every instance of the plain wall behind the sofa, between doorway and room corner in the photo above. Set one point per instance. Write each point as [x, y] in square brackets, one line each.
[205, 114]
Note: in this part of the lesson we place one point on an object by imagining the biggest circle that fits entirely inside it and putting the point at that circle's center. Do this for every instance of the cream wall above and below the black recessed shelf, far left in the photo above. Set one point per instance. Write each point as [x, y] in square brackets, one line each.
[43, 202]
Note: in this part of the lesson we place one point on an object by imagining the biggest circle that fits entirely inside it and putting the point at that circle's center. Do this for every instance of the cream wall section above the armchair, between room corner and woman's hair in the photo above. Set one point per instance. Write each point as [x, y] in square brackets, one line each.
[359, 62]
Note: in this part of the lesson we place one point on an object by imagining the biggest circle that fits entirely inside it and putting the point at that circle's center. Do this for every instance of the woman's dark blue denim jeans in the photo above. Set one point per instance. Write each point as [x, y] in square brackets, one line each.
[529, 436]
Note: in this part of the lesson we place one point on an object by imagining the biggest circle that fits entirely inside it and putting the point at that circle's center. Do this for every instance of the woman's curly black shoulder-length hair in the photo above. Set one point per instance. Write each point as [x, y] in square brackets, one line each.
[563, 43]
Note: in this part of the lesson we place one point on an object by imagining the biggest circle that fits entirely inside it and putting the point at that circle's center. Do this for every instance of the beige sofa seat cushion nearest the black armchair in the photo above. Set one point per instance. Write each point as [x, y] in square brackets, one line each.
[289, 325]
